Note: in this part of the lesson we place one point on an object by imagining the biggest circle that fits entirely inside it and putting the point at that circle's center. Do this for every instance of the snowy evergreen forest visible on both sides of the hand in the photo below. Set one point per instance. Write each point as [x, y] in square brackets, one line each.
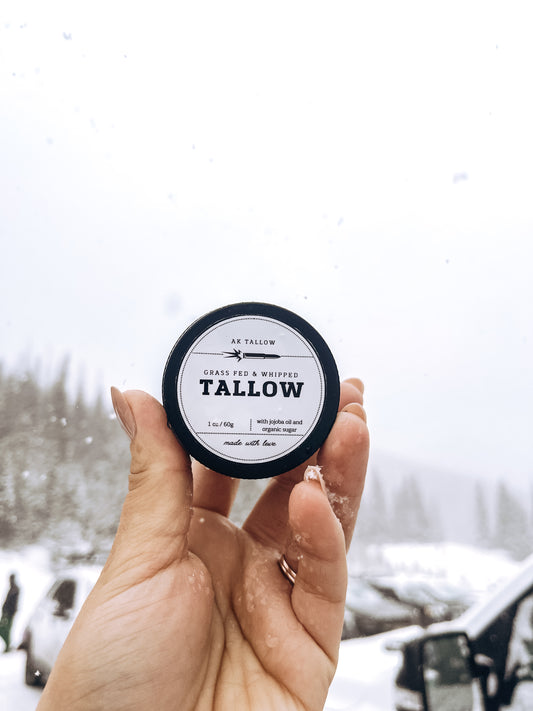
[63, 477]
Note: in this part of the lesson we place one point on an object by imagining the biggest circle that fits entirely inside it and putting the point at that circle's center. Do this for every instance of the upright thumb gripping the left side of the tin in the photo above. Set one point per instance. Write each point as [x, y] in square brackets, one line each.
[156, 514]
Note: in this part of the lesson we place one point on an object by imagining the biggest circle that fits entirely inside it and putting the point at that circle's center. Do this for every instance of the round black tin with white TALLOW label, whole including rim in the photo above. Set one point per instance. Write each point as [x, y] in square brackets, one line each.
[251, 390]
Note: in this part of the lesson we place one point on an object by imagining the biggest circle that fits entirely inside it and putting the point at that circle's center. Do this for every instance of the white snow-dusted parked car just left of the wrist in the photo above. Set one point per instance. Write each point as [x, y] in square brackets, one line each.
[52, 619]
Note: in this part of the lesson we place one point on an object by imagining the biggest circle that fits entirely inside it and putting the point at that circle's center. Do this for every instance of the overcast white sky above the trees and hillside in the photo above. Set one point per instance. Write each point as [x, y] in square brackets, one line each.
[366, 164]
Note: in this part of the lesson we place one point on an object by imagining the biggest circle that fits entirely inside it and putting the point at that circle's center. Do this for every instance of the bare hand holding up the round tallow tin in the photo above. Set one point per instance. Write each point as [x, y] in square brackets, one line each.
[192, 612]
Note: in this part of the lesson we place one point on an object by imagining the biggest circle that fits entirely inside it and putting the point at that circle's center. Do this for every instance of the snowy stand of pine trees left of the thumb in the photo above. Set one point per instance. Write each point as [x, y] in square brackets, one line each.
[63, 466]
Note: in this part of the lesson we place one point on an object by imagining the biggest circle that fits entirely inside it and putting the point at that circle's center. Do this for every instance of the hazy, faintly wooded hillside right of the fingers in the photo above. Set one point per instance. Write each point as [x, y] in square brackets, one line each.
[412, 501]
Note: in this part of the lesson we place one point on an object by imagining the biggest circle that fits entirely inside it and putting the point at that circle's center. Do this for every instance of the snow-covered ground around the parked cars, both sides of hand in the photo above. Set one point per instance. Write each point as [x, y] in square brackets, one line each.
[366, 669]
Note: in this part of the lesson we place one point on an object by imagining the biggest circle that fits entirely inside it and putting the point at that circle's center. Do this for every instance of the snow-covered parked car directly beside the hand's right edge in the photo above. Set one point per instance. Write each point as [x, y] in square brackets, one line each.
[368, 612]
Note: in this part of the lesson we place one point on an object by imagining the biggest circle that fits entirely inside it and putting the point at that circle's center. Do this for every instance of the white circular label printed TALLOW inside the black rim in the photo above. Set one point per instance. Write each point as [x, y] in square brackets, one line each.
[251, 389]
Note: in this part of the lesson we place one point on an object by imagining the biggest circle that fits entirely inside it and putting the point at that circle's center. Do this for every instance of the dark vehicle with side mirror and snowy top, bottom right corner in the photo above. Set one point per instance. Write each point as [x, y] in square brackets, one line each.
[482, 661]
